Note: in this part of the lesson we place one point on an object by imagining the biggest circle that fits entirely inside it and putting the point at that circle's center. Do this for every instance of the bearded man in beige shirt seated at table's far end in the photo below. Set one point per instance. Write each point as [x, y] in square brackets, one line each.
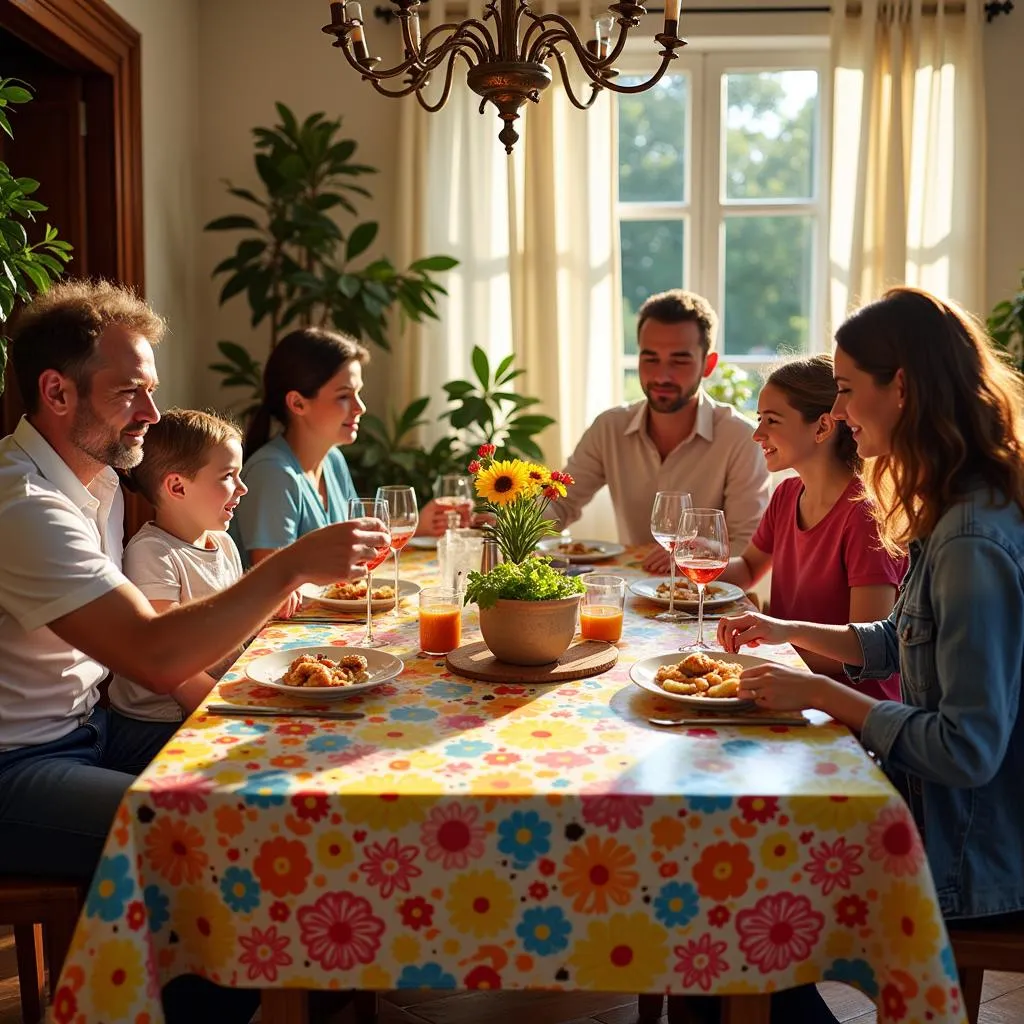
[677, 439]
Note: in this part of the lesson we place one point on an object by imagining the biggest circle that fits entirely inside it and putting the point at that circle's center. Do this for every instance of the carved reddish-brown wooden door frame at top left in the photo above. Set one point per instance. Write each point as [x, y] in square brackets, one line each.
[91, 36]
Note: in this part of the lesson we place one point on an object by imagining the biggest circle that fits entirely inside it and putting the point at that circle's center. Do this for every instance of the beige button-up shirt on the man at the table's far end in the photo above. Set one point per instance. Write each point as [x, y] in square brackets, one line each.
[719, 464]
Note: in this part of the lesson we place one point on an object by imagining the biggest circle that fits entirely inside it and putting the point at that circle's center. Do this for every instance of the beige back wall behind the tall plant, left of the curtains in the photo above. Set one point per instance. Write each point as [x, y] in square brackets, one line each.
[253, 53]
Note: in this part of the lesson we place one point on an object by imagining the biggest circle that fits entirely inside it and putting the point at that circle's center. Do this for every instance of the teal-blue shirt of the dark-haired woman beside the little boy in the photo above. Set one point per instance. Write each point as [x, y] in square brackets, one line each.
[283, 504]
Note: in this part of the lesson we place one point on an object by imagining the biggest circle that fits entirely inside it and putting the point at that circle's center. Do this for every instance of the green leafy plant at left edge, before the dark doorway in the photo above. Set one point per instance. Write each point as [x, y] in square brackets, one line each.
[26, 269]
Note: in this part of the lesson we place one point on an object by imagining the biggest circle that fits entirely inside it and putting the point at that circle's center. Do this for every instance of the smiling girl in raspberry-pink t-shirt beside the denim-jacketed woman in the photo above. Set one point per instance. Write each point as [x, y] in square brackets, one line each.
[818, 535]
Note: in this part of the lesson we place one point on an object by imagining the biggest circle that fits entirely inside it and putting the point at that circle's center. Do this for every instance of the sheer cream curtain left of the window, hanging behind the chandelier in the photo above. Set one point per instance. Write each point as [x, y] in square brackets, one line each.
[535, 238]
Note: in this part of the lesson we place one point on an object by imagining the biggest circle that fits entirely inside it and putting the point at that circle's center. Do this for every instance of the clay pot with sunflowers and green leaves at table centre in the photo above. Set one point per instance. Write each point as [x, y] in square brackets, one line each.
[528, 610]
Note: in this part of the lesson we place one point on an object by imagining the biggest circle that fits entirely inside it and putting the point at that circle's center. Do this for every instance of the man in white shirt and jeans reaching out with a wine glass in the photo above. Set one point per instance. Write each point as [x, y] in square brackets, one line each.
[83, 360]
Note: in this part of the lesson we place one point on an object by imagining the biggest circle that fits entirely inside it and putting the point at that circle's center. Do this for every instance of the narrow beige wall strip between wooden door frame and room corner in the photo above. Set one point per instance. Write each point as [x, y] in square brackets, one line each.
[170, 182]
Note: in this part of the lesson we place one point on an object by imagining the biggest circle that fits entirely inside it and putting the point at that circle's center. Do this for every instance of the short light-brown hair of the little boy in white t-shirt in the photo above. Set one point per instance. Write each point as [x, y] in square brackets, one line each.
[181, 443]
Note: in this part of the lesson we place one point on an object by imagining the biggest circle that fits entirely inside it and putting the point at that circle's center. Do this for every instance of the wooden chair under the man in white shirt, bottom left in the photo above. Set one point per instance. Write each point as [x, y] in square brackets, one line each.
[44, 913]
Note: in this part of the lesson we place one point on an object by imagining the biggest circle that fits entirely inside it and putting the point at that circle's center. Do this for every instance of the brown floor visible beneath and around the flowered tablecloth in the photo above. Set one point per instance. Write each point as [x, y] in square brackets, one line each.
[1003, 1003]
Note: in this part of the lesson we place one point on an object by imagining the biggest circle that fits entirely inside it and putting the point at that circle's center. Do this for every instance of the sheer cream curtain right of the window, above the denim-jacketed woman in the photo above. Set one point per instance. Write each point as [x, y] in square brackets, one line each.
[909, 152]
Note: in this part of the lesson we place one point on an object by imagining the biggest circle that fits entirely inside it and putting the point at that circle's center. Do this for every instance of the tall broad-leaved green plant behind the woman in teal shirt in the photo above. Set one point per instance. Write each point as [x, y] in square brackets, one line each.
[296, 266]
